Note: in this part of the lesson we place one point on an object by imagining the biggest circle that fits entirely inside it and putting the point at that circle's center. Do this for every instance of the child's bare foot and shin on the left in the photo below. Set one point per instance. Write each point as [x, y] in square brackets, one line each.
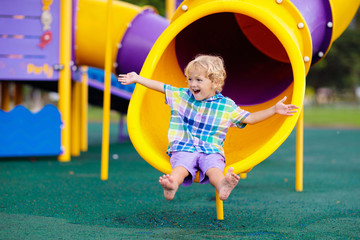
[170, 183]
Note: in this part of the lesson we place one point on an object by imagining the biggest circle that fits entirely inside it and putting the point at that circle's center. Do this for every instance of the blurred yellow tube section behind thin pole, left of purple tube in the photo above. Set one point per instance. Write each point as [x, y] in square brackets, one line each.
[90, 25]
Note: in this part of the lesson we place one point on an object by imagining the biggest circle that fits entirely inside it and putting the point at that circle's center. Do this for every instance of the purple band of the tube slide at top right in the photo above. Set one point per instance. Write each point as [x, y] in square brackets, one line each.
[317, 14]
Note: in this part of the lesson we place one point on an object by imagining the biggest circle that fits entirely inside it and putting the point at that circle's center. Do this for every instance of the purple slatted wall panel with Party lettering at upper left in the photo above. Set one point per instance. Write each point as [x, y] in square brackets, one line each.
[29, 47]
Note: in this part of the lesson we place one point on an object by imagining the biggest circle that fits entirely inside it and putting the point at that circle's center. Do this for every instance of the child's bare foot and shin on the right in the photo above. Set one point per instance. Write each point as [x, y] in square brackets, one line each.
[223, 184]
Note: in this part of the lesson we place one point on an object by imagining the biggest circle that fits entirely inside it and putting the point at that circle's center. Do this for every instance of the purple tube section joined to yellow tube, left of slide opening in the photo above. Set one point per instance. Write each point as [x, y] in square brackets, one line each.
[138, 40]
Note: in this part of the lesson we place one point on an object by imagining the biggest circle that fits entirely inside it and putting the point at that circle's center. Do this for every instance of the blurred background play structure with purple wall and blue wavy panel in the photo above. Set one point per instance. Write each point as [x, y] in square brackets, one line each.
[58, 45]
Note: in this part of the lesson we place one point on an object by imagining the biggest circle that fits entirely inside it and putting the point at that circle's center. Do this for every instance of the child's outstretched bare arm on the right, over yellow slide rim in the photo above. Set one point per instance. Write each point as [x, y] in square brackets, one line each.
[278, 108]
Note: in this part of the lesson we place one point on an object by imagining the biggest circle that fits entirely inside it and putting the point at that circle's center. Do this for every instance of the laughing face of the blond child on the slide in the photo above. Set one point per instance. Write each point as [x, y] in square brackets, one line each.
[200, 85]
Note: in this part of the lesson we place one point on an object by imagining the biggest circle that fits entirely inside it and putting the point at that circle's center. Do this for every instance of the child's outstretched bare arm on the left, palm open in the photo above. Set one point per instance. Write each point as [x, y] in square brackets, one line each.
[133, 77]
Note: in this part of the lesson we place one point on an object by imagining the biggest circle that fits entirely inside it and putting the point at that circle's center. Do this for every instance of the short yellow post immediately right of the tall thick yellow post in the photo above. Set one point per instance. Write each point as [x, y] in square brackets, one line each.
[75, 119]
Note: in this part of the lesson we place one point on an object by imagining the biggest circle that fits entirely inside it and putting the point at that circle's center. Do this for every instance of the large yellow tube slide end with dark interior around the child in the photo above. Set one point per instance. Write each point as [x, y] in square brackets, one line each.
[267, 50]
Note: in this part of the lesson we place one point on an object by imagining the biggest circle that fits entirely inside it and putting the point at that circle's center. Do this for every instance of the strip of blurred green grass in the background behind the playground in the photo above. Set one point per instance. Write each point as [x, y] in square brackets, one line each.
[314, 116]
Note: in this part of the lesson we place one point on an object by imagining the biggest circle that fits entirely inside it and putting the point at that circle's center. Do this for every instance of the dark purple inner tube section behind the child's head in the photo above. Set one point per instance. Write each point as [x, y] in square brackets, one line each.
[252, 77]
